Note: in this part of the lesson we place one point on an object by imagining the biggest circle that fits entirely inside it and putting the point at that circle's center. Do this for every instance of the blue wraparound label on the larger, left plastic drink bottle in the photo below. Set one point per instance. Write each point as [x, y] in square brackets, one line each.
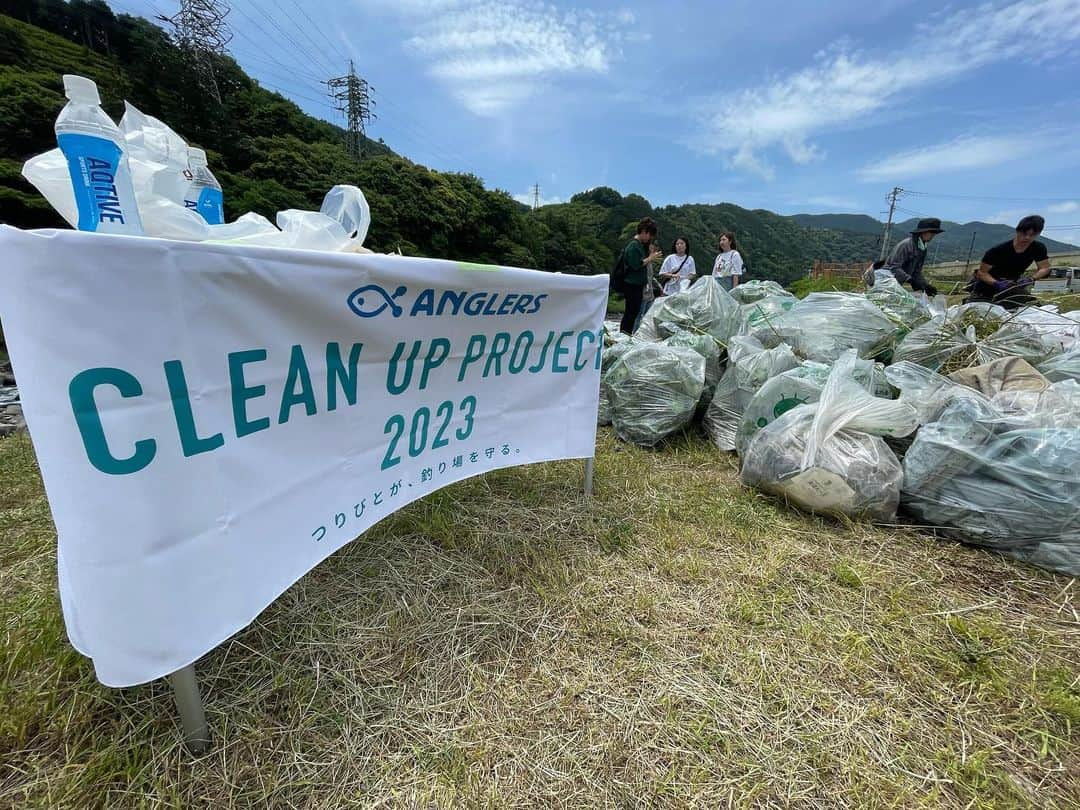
[102, 185]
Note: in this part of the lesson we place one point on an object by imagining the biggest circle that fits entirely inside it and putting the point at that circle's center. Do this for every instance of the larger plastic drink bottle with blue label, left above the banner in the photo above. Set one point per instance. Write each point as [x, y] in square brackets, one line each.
[93, 147]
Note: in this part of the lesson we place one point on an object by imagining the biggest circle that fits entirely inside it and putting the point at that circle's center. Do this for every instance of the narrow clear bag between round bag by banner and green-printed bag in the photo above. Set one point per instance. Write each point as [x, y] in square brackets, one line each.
[750, 367]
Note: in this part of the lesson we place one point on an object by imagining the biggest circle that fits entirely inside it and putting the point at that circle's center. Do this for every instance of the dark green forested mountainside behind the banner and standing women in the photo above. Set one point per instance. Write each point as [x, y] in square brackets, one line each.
[271, 156]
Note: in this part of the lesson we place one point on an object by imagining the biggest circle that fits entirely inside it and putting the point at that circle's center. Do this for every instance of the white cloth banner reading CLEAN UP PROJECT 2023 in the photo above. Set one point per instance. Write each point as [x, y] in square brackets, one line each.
[213, 422]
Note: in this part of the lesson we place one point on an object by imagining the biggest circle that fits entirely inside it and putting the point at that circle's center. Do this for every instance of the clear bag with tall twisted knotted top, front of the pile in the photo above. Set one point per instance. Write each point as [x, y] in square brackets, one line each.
[829, 457]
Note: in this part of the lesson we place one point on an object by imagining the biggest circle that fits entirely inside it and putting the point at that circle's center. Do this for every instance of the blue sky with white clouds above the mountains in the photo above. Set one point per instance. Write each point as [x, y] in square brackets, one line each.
[792, 107]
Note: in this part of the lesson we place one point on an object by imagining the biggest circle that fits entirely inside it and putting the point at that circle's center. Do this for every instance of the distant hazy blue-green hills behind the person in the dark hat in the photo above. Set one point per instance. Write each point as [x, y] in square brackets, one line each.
[953, 245]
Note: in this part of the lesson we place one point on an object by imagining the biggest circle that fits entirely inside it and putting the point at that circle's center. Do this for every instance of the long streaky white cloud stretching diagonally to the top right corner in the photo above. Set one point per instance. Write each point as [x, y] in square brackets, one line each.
[846, 87]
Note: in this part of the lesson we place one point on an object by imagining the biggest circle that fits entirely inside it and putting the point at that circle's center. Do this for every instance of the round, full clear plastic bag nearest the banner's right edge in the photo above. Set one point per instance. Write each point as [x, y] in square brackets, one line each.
[654, 390]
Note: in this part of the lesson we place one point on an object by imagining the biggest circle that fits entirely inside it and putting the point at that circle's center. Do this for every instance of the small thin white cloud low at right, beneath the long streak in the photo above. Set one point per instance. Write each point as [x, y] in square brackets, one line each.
[967, 153]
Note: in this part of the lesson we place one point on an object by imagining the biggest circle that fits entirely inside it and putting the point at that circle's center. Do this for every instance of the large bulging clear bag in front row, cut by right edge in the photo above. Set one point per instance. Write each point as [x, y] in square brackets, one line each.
[1004, 475]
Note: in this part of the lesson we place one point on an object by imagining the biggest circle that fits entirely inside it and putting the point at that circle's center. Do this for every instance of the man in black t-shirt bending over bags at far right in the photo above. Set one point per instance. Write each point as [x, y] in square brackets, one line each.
[1001, 277]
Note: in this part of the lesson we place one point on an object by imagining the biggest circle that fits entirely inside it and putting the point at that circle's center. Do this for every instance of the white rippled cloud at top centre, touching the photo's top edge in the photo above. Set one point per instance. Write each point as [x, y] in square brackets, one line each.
[495, 56]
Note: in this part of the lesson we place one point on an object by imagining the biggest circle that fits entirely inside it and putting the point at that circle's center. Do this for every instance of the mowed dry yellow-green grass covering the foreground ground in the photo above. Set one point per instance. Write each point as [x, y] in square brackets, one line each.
[677, 642]
